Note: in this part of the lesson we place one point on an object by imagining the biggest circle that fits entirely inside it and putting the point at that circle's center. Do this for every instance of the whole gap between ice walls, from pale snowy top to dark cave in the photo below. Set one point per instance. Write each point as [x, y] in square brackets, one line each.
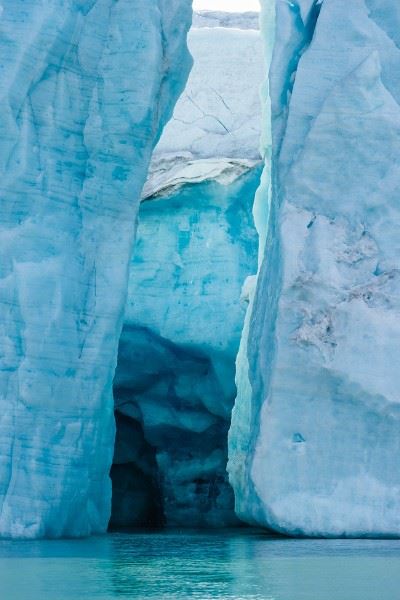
[196, 245]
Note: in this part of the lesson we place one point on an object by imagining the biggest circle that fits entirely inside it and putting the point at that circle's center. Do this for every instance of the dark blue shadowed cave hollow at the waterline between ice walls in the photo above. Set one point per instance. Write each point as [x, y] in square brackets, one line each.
[170, 451]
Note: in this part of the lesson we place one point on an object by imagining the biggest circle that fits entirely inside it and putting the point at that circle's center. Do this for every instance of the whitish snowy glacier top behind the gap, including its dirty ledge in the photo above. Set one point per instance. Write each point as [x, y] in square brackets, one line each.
[218, 116]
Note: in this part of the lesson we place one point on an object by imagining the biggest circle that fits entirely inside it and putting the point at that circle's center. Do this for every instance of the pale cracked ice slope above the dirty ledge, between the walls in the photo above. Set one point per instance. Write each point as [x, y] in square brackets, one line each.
[217, 114]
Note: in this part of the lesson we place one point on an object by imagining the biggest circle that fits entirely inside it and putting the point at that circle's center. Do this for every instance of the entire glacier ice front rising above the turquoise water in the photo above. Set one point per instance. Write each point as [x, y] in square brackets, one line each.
[186, 341]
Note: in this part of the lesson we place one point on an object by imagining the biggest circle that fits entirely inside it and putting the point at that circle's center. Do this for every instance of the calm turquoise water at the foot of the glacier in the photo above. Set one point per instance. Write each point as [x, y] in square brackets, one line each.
[237, 565]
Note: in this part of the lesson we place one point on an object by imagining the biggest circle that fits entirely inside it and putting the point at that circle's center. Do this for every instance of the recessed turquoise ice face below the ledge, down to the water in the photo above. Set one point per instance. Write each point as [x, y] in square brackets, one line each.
[176, 367]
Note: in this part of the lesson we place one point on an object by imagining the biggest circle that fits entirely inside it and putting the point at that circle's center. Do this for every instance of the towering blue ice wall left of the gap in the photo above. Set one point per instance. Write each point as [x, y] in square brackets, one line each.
[86, 87]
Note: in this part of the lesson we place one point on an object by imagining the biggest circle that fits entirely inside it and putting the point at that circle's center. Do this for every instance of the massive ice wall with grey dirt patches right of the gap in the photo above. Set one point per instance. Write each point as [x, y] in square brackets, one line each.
[315, 438]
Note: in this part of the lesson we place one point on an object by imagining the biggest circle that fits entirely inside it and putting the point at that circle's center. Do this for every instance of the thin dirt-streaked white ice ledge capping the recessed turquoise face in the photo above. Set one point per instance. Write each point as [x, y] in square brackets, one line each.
[170, 173]
